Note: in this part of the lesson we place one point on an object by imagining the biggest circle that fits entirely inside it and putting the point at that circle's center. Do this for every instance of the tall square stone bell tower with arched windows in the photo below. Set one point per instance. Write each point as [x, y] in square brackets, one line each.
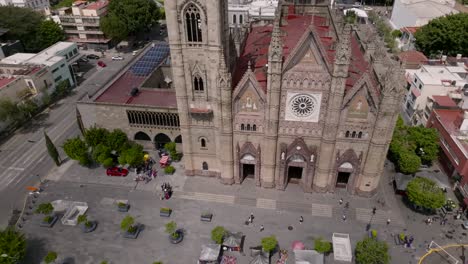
[199, 42]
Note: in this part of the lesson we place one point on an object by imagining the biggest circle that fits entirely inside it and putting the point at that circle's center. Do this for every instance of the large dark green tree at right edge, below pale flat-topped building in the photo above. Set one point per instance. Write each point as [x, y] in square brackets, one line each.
[445, 34]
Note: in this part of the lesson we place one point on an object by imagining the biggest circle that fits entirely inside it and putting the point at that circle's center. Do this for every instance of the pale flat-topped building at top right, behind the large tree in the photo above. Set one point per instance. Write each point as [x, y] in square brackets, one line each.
[417, 13]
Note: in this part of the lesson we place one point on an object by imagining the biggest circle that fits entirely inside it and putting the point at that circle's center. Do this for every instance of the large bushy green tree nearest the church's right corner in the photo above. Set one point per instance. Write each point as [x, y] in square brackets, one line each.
[412, 146]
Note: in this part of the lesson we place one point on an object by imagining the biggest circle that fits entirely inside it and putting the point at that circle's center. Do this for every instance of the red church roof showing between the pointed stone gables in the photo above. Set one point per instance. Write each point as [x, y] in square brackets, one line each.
[257, 43]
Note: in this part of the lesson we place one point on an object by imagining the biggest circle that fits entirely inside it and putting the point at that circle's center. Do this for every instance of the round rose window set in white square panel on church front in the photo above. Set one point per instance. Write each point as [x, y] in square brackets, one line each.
[303, 107]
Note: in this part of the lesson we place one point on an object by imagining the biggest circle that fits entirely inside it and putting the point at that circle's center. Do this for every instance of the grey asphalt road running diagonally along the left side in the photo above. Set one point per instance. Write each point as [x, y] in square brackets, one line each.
[24, 154]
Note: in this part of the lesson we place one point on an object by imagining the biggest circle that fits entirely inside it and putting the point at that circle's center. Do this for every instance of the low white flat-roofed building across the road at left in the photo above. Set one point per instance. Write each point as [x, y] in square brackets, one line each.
[58, 58]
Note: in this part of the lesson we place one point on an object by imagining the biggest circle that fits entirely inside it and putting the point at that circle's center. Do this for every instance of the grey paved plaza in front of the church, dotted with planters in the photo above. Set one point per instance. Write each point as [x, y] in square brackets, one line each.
[231, 206]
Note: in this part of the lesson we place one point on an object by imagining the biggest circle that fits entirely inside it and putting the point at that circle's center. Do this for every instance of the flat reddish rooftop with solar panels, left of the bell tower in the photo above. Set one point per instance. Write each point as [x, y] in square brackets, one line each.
[119, 92]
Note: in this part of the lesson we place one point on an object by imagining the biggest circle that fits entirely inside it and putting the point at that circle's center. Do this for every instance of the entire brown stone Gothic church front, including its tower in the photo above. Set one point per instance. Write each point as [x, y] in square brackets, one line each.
[305, 125]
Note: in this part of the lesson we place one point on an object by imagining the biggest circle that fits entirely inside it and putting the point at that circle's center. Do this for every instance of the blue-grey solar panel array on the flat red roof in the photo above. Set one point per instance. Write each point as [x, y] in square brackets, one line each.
[150, 60]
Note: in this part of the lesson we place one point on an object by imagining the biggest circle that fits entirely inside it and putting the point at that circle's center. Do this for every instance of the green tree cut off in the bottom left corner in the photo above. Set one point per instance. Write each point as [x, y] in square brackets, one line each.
[12, 244]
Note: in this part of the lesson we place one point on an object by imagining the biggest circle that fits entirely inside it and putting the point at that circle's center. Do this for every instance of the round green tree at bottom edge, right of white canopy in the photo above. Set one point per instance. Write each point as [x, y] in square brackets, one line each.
[372, 251]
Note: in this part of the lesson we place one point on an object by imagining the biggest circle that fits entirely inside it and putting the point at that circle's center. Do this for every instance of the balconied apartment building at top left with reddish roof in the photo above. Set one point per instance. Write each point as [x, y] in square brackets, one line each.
[81, 23]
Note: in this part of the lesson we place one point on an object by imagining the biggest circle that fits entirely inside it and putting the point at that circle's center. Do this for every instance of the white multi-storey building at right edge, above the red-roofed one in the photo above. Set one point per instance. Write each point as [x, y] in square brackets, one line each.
[429, 81]
